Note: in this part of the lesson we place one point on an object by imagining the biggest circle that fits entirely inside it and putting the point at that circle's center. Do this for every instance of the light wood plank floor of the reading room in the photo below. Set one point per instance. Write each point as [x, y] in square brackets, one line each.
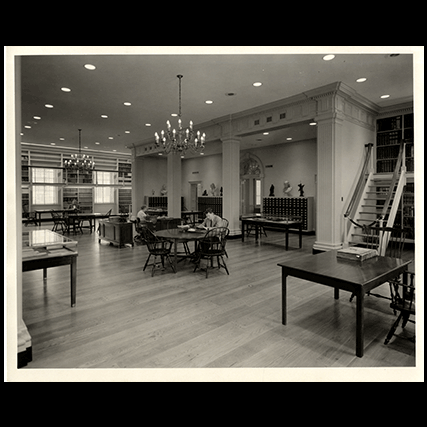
[124, 318]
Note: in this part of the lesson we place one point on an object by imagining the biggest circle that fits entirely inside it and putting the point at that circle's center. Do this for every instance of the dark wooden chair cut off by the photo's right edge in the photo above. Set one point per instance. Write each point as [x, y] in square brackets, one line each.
[403, 301]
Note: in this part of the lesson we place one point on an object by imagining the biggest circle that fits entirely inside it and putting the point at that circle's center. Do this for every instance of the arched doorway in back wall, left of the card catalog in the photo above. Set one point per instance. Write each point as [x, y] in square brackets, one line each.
[251, 184]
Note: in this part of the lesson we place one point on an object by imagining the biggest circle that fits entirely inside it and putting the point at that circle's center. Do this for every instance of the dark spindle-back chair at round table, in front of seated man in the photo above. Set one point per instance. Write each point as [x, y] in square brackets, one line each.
[211, 246]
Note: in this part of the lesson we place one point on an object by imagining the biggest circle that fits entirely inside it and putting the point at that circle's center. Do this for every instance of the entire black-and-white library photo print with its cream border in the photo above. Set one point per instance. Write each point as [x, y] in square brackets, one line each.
[213, 215]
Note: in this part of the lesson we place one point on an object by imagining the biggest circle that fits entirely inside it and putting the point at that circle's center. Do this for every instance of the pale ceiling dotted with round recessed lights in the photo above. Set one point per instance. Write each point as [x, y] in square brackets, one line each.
[129, 96]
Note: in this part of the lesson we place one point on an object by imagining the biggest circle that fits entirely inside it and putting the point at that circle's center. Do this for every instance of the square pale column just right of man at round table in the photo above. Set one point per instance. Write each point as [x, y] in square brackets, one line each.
[231, 182]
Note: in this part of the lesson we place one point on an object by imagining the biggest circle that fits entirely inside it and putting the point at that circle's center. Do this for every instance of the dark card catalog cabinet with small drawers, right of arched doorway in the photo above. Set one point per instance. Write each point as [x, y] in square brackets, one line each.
[291, 206]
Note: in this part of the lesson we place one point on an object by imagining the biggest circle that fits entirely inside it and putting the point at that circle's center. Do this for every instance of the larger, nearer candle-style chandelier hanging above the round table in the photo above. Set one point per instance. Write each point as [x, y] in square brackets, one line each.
[182, 139]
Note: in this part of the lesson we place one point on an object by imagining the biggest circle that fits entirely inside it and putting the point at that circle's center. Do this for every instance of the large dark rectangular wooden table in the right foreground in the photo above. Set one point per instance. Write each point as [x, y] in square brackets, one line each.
[352, 276]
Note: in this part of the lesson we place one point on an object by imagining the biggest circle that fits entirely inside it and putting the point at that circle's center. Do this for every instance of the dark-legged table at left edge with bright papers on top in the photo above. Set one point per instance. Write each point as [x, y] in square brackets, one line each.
[43, 249]
